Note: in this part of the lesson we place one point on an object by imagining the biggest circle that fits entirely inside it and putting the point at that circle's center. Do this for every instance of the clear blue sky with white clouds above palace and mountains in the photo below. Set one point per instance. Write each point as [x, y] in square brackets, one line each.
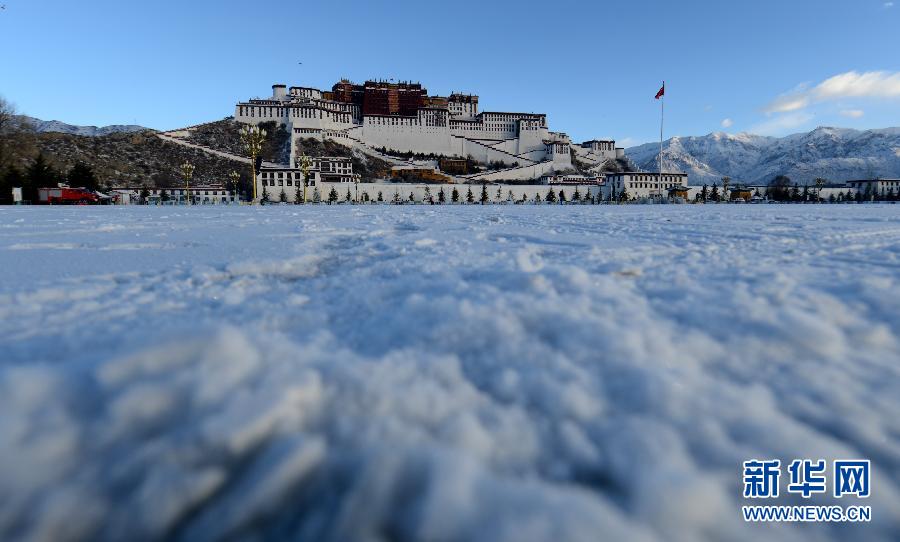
[763, 66]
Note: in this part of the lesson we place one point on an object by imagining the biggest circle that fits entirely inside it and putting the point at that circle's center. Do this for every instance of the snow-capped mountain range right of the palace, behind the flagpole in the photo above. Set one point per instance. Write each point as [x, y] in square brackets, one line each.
[836, 154]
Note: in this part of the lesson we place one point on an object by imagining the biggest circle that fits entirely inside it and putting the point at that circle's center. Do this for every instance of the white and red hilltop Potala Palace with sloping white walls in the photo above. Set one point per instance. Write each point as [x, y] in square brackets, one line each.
[402, 117]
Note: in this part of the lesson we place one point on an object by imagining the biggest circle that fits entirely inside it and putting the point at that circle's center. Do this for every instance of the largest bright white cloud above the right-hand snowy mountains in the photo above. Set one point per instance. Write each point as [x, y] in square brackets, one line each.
[878, 84]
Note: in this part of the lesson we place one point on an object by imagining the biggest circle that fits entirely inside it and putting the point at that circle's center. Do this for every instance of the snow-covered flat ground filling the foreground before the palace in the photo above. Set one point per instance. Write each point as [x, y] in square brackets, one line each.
[440, 373]
